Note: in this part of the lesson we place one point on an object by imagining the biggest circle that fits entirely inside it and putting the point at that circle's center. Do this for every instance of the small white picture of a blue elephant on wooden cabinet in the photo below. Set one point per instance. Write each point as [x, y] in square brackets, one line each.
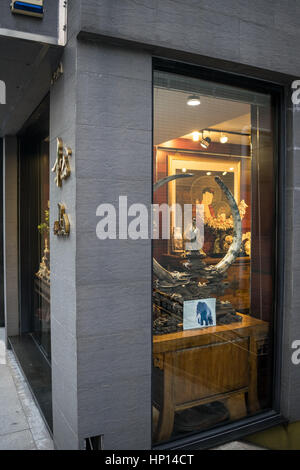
[199, 313]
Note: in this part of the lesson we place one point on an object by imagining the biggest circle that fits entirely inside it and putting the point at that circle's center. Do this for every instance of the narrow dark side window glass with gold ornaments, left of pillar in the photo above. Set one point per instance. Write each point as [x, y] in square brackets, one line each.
[34, 240]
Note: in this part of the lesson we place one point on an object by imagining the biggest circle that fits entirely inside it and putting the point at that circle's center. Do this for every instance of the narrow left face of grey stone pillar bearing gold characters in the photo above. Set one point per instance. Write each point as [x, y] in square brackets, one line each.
[63, 106]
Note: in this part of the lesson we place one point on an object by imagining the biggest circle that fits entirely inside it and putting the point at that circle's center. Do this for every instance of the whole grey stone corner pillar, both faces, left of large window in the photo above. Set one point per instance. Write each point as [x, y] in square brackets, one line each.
[101, 290]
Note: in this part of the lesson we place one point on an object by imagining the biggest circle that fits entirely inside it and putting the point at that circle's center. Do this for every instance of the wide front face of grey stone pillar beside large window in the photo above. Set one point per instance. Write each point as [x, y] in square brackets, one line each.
[113, 157]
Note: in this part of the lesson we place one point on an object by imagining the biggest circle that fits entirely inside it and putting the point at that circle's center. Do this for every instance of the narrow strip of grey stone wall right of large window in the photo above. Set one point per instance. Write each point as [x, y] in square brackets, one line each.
[290, 384]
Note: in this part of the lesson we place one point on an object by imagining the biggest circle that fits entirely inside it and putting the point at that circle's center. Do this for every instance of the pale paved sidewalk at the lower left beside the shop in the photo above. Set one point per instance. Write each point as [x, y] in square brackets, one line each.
[21, 424]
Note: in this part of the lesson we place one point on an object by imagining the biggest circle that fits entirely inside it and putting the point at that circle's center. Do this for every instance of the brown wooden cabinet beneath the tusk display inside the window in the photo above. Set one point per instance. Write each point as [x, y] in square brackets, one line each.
[195, 367]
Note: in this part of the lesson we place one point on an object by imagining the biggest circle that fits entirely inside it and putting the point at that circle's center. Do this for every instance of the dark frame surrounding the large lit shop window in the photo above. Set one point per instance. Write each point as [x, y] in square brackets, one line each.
[278, 92]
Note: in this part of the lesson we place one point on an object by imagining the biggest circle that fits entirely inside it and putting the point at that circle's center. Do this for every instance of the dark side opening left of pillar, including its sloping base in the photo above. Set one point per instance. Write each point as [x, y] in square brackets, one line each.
[33, 345]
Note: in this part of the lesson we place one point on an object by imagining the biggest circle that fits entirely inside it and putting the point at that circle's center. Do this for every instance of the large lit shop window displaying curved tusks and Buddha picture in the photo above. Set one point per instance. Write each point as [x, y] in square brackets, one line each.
[213, 254]
